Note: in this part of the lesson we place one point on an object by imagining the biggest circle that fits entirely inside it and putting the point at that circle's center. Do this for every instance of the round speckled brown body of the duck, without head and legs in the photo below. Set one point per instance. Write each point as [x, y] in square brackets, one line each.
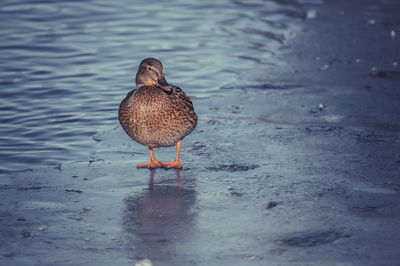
[155, 118]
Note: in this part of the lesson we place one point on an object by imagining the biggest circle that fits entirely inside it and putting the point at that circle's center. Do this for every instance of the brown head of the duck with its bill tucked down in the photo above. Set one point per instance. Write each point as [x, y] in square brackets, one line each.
[150, 72]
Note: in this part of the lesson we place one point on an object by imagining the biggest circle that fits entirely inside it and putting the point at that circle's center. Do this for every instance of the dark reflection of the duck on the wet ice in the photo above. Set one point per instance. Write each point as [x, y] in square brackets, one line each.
[159, 219]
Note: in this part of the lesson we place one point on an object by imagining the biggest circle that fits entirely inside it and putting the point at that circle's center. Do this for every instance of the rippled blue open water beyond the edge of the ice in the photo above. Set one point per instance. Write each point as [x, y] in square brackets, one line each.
[66, 65]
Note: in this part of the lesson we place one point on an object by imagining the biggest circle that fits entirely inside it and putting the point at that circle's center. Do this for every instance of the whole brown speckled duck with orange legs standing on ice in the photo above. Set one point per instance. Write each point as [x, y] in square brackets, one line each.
[157, 114]
